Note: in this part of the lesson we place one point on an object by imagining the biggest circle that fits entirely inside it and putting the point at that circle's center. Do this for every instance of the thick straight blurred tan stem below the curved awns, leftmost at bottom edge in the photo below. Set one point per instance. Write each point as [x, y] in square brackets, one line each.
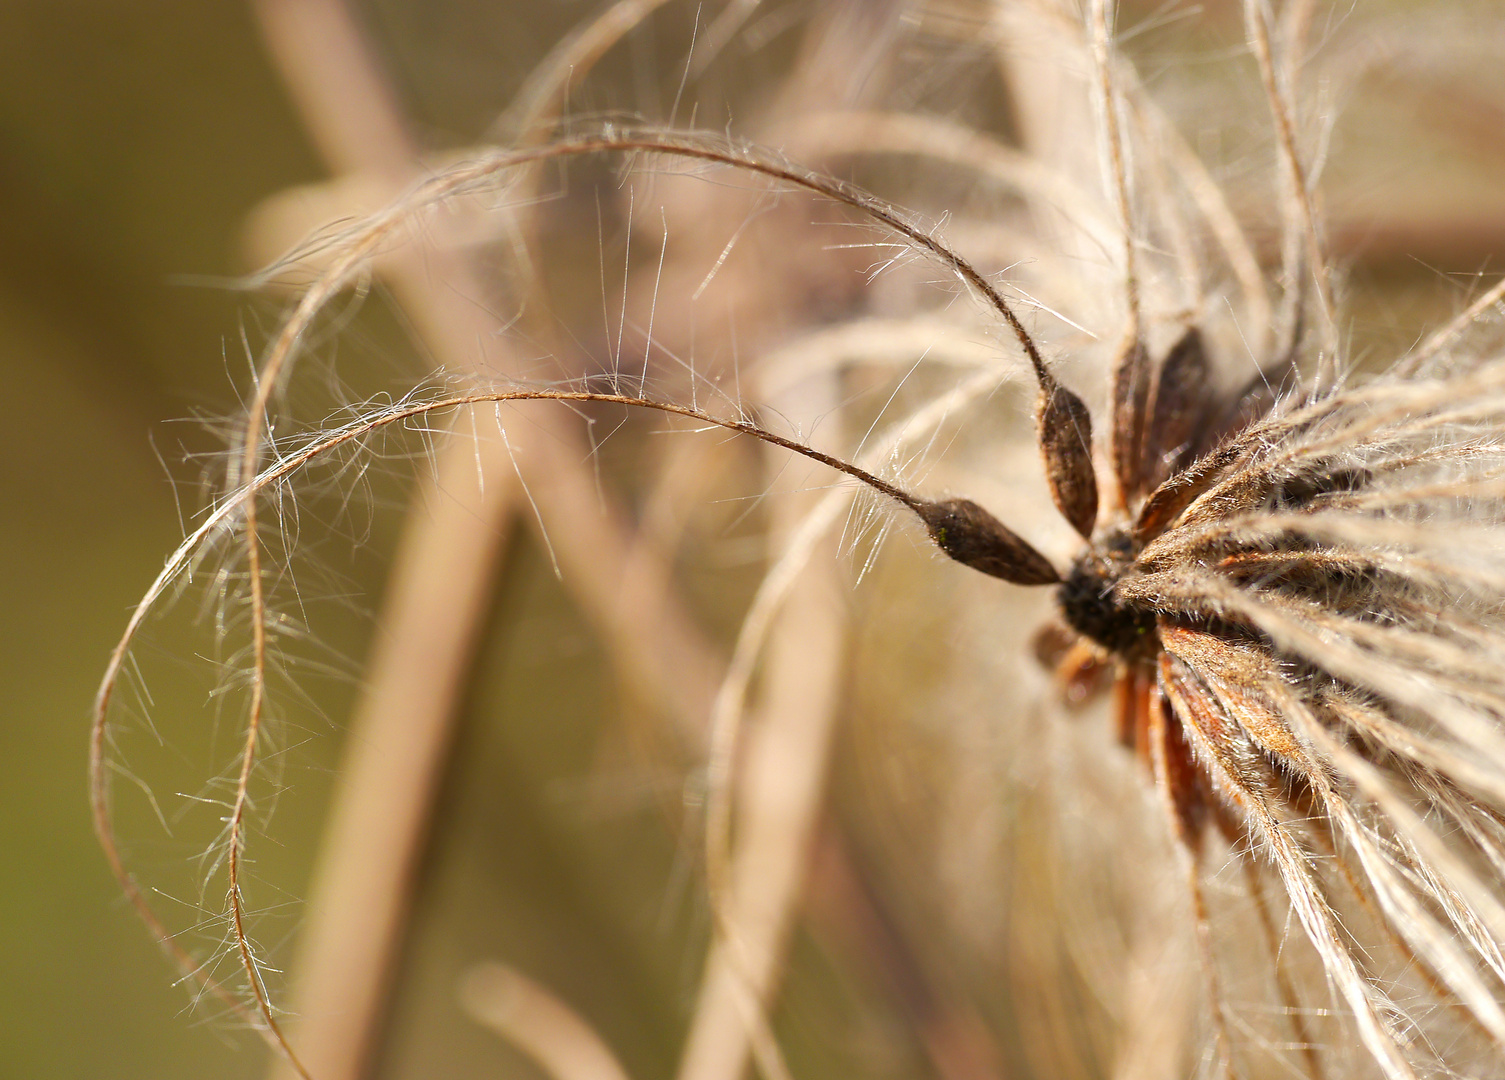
[436, 605]
